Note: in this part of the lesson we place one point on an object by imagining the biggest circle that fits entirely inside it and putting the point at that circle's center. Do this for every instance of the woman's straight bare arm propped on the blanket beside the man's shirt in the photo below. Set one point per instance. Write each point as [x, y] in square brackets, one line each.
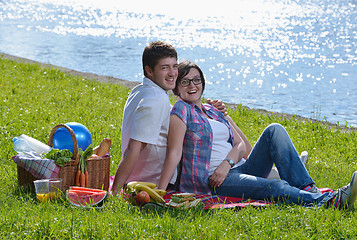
[177, 130]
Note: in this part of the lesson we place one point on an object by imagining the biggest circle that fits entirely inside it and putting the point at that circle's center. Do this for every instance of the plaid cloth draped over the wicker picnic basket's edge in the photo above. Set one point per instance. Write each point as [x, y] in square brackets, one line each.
[39, 168]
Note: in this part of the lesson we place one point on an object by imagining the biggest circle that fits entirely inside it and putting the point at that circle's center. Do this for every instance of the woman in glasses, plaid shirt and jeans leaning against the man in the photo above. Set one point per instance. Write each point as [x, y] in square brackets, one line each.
[217, 158]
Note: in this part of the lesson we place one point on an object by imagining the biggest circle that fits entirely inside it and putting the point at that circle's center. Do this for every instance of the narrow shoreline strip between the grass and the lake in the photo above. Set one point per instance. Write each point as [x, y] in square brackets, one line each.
[131, 84]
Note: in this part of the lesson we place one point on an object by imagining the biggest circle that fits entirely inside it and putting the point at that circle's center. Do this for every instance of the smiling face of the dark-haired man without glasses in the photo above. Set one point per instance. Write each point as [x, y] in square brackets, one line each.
[164, 73]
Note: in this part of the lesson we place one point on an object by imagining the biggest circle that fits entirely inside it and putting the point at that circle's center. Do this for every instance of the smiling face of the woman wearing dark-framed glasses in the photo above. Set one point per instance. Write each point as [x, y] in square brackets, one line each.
[191, 93]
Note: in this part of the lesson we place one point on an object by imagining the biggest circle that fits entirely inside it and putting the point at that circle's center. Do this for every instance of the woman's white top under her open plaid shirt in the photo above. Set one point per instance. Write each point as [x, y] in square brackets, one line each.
[220, 145]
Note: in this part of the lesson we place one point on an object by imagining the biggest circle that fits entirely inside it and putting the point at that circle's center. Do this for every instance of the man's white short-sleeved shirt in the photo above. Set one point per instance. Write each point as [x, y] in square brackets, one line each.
[146, 119]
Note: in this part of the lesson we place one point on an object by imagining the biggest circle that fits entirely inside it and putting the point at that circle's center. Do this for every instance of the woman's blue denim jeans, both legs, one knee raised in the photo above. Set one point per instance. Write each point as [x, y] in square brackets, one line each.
[249, 180]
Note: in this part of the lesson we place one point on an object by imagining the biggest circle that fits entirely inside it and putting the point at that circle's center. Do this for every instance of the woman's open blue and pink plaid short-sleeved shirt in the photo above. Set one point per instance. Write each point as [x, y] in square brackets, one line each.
[197, 144]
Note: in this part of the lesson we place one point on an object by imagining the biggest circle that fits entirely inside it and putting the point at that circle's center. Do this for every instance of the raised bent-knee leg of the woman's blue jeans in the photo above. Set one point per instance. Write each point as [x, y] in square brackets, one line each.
[275, 146]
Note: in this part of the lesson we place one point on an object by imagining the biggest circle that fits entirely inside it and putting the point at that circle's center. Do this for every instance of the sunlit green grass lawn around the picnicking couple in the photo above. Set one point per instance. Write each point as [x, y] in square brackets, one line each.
[34, 99]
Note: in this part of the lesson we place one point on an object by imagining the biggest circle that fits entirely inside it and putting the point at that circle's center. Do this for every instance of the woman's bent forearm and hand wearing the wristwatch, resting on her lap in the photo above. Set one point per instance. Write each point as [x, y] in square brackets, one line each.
[236, 154]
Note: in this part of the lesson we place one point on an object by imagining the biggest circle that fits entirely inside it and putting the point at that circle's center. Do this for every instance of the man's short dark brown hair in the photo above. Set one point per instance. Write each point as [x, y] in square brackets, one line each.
[156, 51]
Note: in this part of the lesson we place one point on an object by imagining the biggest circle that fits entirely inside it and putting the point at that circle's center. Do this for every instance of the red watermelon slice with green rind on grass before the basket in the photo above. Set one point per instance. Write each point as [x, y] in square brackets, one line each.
[86, 197]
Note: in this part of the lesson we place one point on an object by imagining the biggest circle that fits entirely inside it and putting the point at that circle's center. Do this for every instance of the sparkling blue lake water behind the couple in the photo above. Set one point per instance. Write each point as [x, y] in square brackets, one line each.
[296, 57]
